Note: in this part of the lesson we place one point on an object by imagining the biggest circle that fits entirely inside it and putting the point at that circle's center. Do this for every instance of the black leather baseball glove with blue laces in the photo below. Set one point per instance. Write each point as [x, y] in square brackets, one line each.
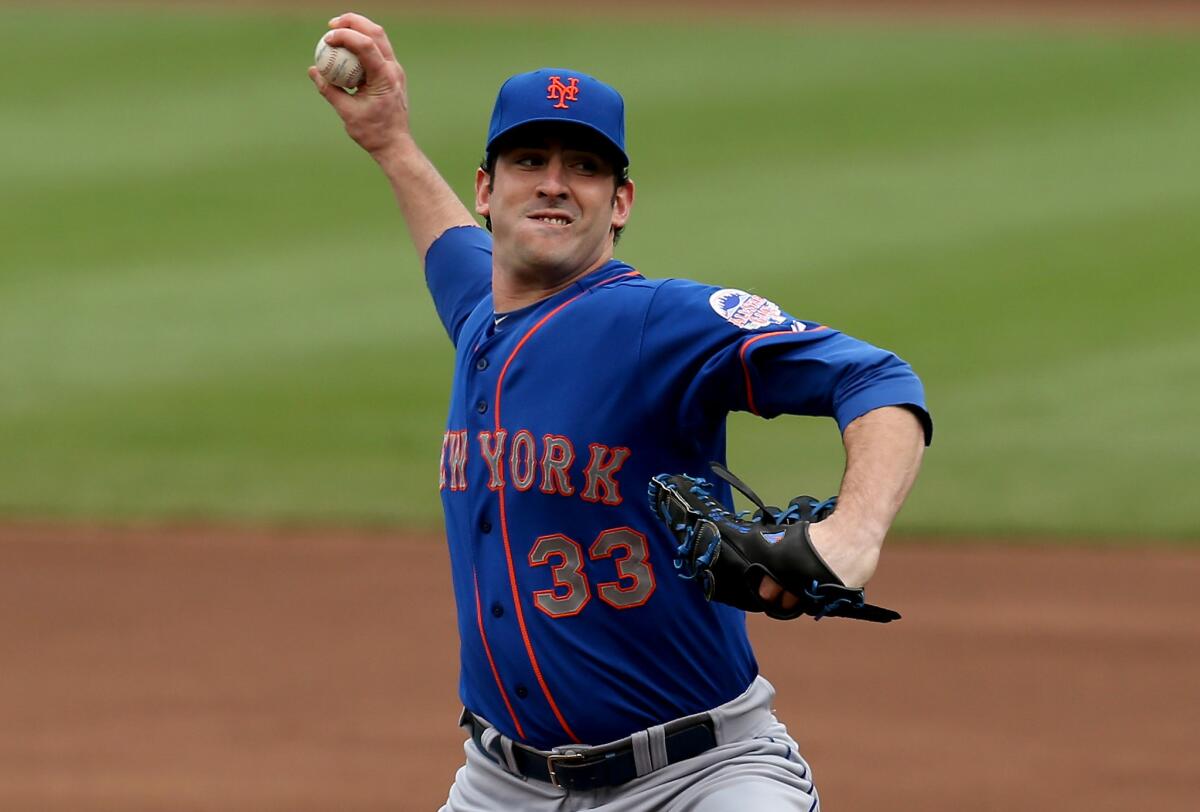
[730, 554]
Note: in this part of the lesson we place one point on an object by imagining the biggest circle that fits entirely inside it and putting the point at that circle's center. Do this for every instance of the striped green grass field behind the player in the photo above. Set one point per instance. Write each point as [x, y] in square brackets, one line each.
[209, 308]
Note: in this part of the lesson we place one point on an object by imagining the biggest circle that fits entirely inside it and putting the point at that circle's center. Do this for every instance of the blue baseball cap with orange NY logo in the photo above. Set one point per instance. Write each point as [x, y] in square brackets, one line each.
[559, 95]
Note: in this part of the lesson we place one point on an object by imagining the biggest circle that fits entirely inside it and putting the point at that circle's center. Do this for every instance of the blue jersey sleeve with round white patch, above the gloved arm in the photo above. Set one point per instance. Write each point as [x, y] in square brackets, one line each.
[715, 351]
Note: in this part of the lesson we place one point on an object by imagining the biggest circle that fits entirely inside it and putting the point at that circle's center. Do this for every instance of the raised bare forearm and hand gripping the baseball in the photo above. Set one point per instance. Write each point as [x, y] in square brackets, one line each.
[377, 118]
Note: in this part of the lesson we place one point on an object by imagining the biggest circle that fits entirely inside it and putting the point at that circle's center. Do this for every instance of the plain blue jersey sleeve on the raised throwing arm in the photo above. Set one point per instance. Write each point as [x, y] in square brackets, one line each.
[459, 275]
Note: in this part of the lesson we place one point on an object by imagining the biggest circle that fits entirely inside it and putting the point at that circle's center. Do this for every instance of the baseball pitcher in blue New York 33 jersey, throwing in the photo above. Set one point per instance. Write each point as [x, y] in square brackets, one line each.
[592, 676]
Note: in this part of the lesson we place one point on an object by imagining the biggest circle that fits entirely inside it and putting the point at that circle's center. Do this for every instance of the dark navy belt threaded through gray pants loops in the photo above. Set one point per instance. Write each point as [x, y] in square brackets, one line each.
[592, 768]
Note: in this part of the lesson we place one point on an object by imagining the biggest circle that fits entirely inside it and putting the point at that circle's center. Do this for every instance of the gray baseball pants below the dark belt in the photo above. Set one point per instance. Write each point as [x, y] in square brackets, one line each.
[755, 766]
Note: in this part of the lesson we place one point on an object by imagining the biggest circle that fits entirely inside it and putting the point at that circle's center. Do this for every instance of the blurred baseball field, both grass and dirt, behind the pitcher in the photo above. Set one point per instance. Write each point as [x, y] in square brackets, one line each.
[214, 332]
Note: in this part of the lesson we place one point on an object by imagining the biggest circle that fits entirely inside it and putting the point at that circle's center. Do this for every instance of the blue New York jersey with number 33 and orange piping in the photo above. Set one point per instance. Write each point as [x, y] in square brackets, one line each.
[574, 625]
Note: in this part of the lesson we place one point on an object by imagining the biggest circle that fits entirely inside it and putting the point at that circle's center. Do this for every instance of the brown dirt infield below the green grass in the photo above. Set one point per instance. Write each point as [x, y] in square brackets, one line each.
[205, 670]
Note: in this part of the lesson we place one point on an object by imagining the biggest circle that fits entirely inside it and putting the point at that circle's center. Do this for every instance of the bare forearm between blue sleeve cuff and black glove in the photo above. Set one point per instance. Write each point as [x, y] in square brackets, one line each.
[884, 453]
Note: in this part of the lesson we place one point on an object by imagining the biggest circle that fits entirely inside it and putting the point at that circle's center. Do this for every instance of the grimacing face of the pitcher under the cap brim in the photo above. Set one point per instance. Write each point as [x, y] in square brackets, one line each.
[554, 204]
